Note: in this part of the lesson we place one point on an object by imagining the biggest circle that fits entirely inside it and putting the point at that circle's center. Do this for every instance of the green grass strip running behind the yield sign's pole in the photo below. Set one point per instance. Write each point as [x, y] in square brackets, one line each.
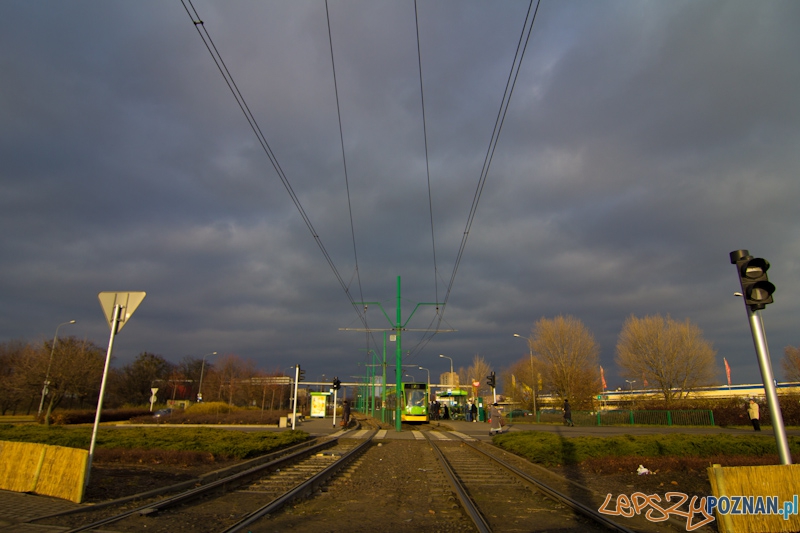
[221, 443]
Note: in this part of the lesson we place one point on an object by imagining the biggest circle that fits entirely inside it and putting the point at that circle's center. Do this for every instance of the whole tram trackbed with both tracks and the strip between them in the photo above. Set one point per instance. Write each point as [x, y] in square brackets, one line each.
[437, 479]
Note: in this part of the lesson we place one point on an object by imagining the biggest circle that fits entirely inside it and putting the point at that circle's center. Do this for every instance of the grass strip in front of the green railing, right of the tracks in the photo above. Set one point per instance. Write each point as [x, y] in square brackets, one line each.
[549, 449]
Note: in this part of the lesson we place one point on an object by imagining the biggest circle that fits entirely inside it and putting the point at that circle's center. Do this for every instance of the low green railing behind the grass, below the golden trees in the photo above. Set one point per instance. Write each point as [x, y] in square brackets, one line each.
[627, 417]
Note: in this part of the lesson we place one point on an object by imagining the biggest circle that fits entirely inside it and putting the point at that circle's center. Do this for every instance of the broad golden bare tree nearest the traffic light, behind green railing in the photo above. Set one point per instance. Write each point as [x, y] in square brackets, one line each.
[673, 356]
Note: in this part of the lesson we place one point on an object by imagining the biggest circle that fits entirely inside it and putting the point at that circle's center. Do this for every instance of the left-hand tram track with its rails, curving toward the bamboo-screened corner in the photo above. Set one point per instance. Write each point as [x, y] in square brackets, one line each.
[232, 502]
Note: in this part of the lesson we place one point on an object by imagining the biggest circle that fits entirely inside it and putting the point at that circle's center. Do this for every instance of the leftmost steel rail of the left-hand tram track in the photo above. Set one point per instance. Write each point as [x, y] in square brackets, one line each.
[203, 489]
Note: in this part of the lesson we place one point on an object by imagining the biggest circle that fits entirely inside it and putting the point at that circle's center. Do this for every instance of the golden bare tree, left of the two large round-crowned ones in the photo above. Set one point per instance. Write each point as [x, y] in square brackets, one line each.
[569, 357]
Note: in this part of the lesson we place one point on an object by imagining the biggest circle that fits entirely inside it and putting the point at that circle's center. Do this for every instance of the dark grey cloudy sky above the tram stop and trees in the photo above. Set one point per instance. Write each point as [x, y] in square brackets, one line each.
[643, 142]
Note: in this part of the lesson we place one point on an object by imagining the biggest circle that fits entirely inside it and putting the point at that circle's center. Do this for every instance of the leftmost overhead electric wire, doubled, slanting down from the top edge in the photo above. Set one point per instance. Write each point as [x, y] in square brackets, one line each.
[240, 100]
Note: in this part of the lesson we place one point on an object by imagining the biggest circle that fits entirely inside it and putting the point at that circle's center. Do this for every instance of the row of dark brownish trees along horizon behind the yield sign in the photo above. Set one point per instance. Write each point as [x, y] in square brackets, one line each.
[76, 370]
